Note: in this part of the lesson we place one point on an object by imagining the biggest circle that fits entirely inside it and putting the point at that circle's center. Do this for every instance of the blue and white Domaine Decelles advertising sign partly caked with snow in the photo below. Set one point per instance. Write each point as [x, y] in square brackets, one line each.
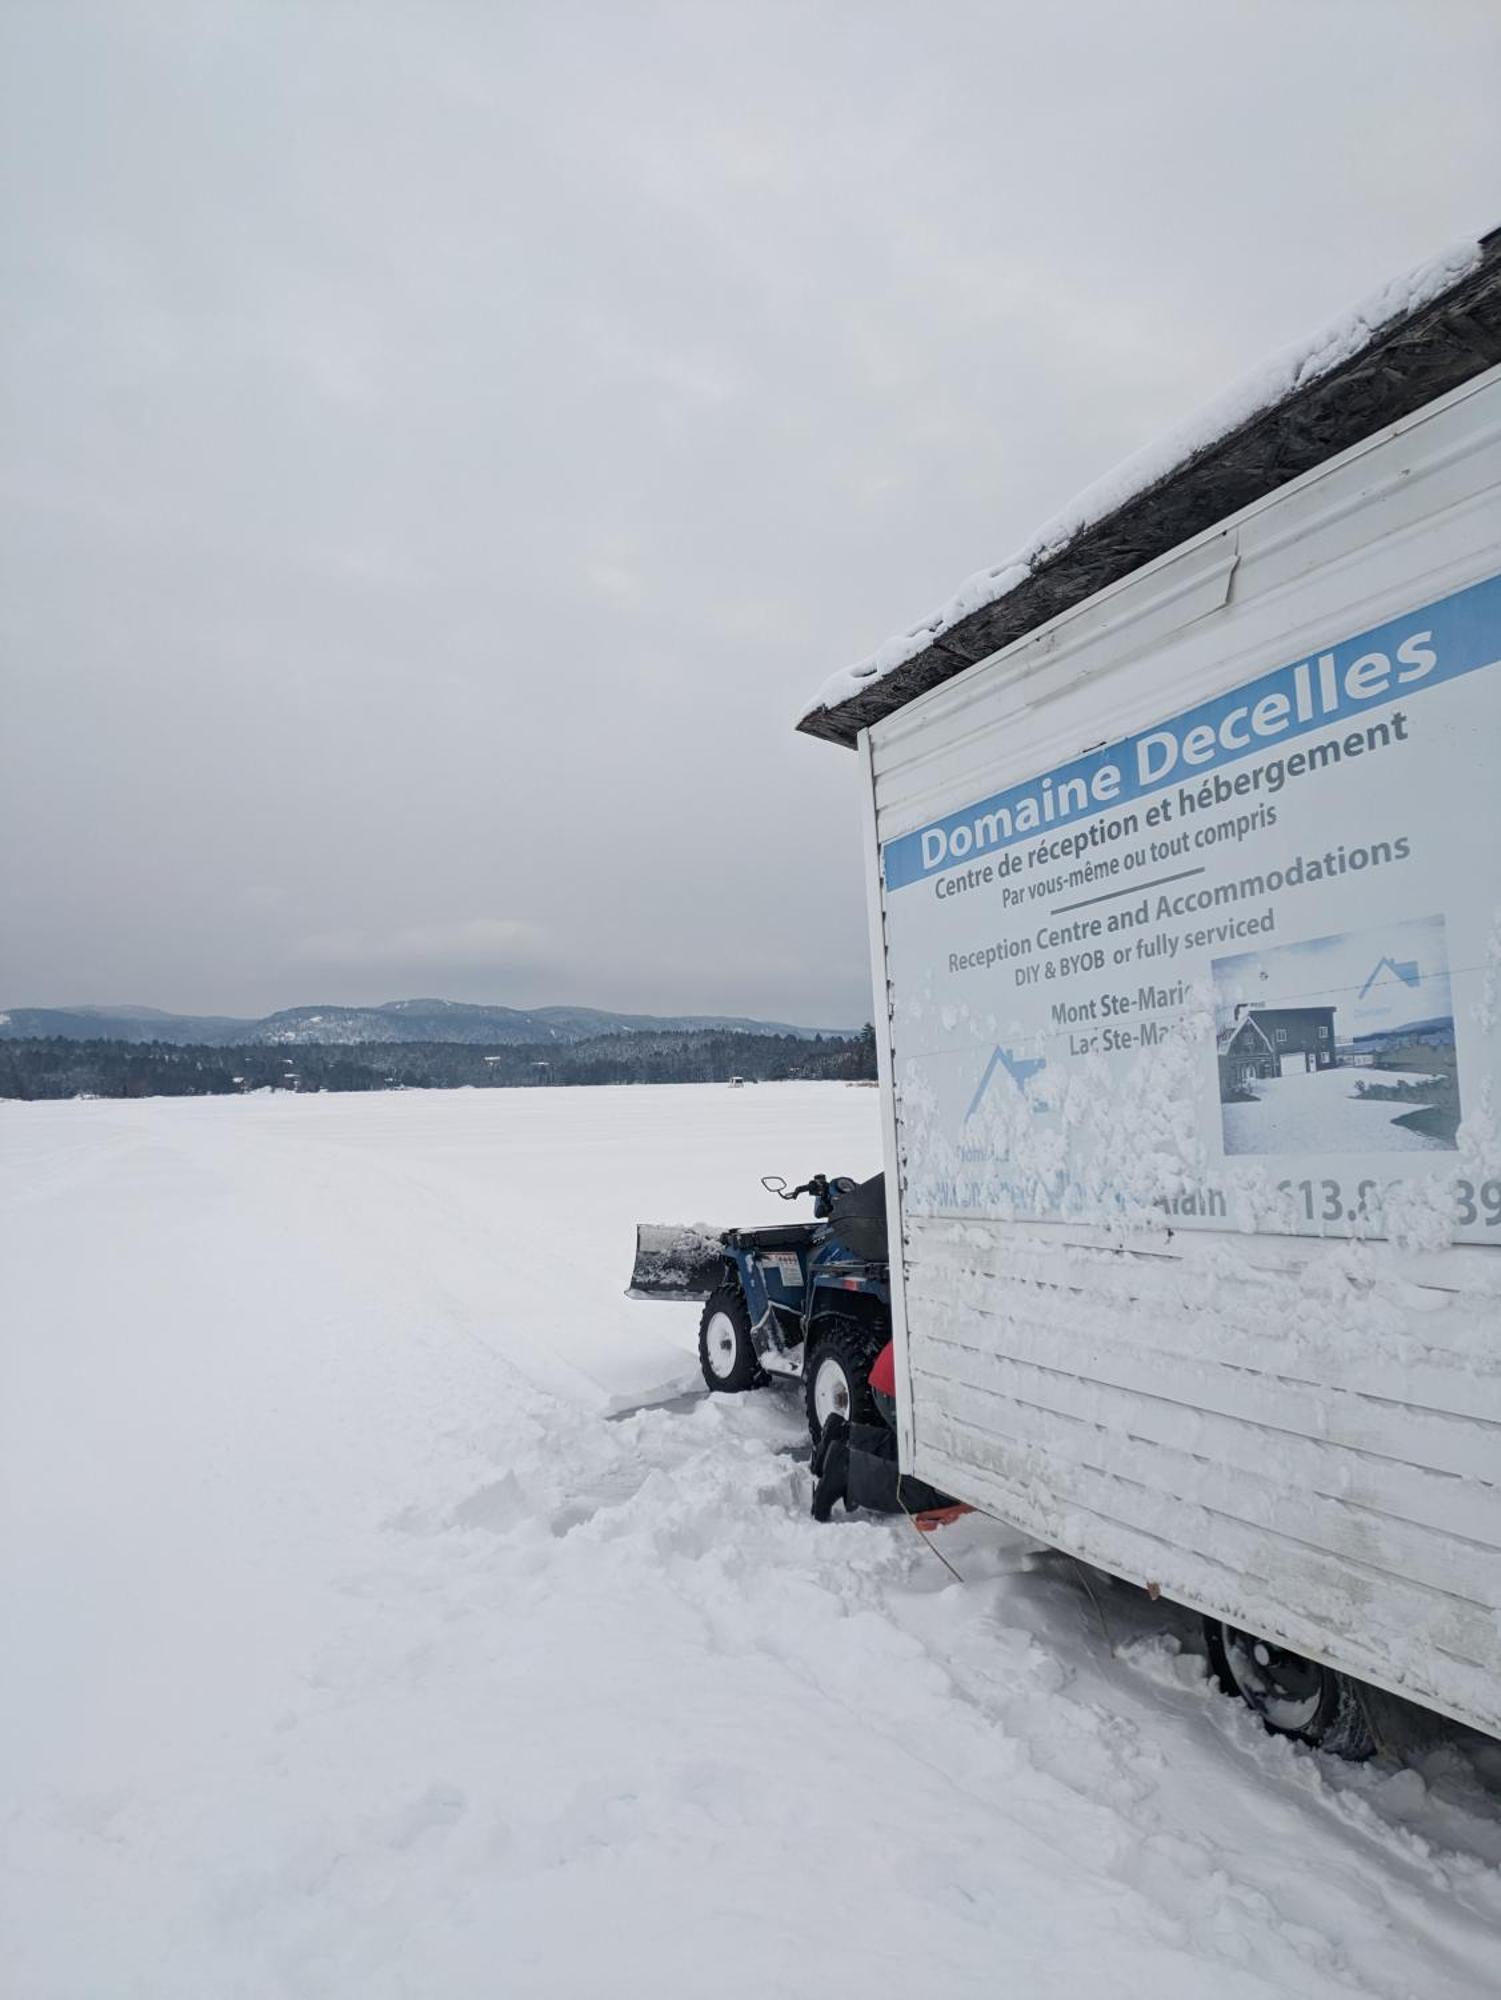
[1236, 971]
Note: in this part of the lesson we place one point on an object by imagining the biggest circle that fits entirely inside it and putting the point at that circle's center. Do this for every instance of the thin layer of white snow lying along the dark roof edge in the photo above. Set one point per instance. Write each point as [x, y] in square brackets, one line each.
[1288, 371]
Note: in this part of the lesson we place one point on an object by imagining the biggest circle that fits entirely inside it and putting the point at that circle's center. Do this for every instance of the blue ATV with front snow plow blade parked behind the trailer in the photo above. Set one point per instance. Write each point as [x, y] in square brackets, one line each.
[806, 1301]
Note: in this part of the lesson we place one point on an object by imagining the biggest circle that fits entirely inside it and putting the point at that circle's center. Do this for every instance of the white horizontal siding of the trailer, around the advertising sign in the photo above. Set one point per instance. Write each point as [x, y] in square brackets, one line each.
[1158, 1405]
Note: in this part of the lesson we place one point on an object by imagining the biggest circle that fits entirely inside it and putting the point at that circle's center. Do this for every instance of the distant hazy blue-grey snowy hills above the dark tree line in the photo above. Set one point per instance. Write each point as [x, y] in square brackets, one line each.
[395, 1021]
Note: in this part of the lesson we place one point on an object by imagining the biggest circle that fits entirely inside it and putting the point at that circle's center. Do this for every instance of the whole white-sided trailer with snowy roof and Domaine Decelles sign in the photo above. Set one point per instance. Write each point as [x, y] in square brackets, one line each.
[1186, 863]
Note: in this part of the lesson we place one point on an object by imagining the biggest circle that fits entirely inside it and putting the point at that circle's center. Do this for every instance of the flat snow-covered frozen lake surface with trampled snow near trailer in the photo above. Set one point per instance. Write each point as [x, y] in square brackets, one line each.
[355, 1649]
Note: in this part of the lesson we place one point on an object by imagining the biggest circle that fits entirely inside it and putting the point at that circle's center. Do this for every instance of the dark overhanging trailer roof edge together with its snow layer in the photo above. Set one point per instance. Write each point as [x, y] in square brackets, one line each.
[1376, 363]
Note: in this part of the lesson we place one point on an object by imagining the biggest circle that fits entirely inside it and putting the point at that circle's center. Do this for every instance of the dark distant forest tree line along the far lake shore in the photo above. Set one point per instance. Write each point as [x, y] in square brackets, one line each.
[57, 1067]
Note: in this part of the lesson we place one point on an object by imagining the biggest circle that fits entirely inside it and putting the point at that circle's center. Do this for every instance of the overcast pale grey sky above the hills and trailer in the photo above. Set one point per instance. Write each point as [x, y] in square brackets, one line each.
[449, 443]
